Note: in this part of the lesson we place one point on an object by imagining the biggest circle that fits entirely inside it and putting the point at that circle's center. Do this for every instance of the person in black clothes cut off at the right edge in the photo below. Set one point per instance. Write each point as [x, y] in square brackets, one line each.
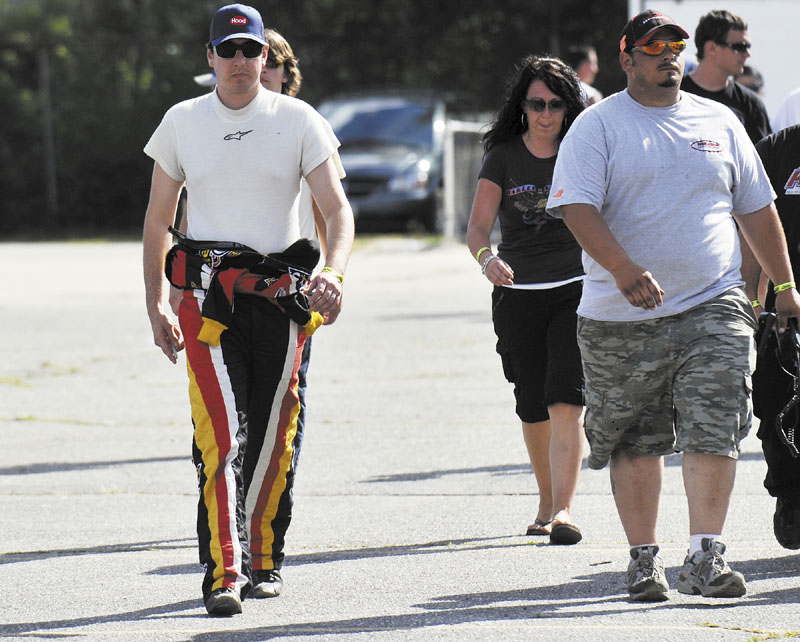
[773, 386]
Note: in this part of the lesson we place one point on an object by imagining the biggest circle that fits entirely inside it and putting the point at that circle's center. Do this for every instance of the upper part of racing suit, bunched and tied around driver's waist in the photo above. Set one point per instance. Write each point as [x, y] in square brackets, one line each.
[222, 269]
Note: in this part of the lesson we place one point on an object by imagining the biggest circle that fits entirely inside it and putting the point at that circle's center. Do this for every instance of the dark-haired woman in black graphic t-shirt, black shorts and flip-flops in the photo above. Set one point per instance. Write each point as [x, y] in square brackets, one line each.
[538, 276]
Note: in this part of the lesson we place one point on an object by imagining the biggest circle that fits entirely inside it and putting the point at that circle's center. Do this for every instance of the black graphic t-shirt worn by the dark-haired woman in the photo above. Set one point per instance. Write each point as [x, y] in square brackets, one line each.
[538, 247]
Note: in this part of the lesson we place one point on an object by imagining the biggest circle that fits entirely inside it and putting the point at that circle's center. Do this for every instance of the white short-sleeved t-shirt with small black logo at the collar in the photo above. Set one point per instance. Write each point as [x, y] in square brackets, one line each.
[242, 167]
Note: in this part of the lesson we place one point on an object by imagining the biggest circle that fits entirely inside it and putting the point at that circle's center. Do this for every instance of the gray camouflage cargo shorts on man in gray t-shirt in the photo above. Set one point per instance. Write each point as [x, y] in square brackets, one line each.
[676, 384]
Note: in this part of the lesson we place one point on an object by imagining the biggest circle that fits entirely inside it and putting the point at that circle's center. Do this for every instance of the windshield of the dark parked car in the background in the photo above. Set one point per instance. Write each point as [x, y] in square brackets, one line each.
[380, 122]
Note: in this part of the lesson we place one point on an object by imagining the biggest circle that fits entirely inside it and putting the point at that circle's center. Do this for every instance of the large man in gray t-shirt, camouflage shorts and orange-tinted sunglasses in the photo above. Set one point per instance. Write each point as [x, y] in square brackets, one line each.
[652, 182]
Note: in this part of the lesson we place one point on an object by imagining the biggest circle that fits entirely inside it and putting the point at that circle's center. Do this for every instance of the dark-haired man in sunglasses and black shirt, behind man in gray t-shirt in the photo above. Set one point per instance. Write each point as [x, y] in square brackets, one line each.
[723, 47]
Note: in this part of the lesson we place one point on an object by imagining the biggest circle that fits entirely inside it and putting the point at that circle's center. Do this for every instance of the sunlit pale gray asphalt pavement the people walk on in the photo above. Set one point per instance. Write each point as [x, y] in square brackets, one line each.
[413, 490]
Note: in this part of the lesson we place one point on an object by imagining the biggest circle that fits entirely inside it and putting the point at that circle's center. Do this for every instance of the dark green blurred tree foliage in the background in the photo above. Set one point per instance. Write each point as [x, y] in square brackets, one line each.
[115, 67]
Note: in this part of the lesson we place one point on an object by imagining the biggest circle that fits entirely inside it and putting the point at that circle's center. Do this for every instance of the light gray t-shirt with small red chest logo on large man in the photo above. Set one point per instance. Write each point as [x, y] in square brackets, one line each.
[666, 180]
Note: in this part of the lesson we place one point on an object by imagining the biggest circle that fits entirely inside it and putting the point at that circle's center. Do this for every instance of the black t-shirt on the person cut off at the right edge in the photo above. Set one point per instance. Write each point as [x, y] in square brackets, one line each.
[780, 154]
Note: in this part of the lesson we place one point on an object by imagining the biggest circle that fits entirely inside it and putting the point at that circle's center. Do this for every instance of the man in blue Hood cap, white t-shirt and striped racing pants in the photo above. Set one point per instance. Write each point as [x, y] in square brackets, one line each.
[242, 151]
